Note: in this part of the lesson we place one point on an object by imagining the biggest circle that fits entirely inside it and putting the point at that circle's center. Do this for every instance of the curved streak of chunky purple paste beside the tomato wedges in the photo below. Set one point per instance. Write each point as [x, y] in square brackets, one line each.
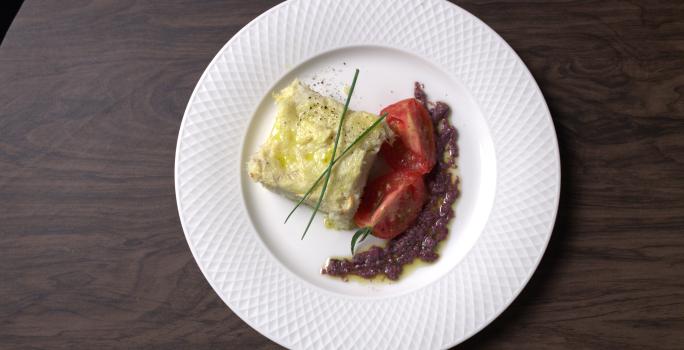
[420, 240]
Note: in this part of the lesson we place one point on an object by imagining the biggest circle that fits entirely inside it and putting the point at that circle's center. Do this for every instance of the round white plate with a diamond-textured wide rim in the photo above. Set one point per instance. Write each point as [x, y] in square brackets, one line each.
[509, 169]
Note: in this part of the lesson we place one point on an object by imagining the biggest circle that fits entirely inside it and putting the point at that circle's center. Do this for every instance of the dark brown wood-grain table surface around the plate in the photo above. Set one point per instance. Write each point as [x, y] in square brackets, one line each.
[92, 254]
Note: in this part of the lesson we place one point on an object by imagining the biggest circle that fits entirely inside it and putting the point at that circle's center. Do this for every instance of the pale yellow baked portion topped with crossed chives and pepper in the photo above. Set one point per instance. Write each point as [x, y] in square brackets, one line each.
[299, 148]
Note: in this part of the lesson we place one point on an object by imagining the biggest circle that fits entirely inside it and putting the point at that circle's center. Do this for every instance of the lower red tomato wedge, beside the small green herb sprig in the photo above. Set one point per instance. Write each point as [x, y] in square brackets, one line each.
[391, 203]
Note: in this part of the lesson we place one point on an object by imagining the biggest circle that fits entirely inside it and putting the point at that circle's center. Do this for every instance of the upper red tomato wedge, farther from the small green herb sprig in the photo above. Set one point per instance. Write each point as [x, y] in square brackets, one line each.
[414, 148]
